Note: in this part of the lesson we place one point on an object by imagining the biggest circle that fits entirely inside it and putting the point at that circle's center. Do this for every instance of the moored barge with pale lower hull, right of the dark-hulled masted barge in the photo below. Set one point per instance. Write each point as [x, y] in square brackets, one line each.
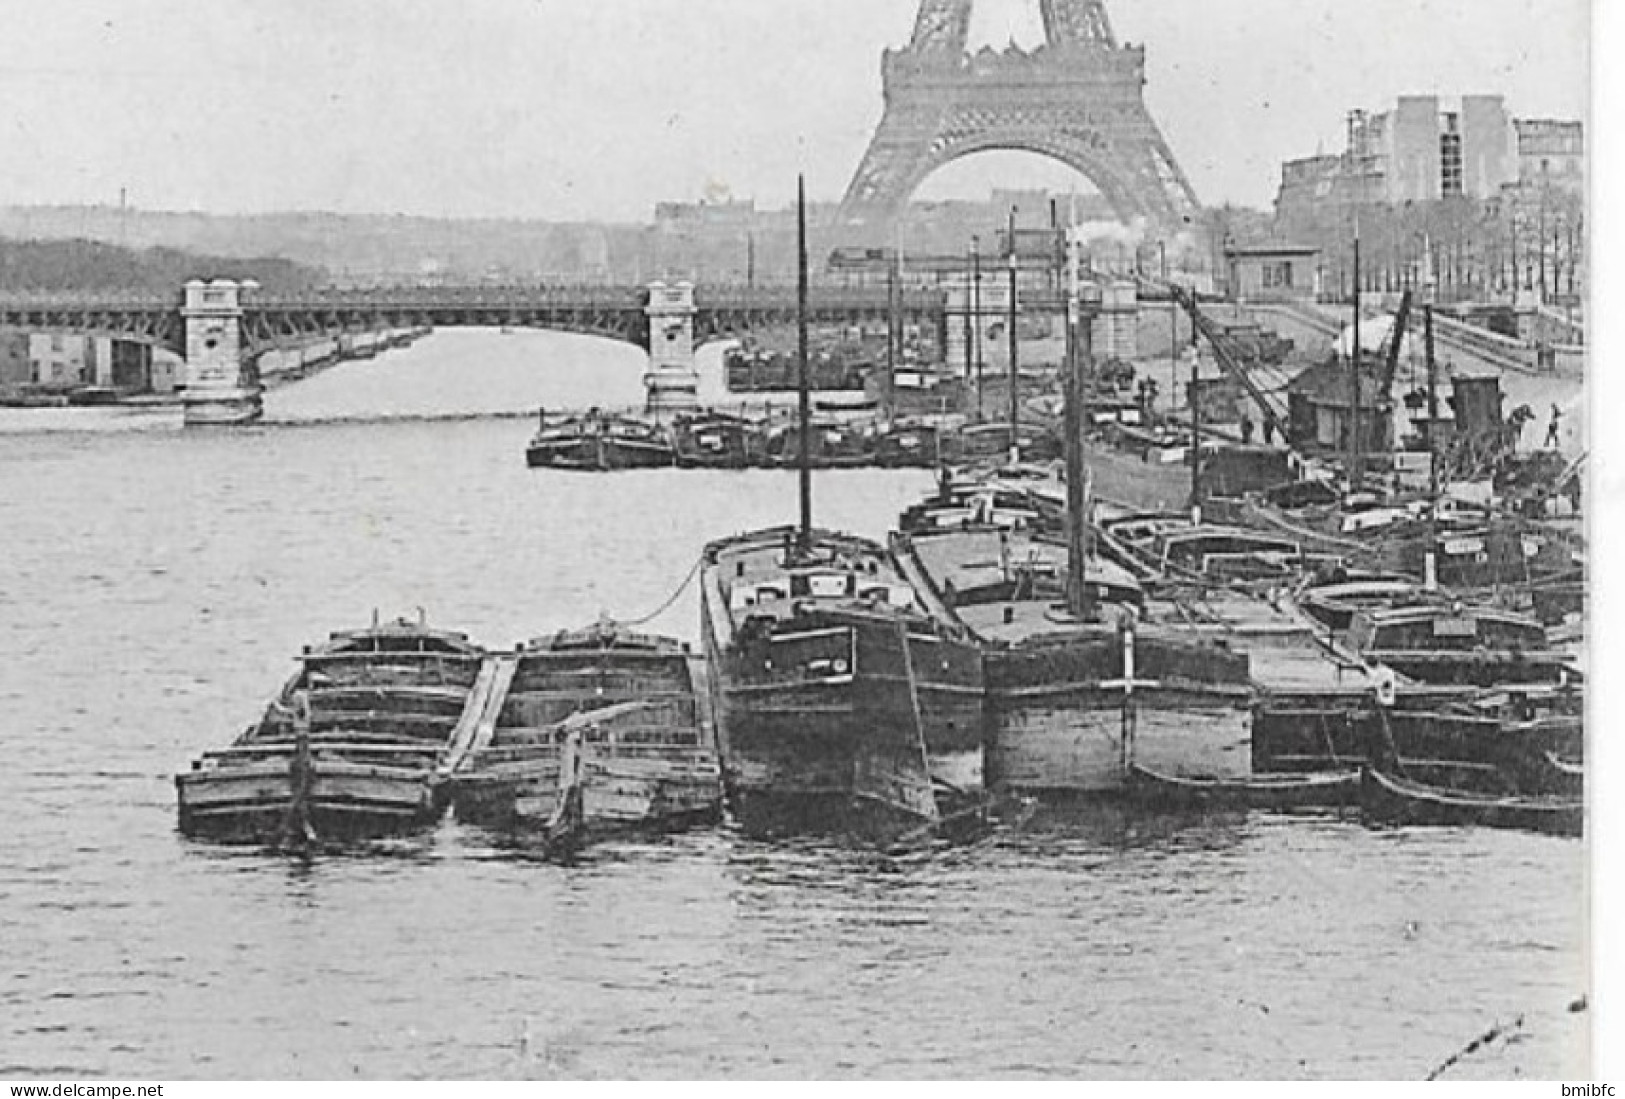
[1072, 702]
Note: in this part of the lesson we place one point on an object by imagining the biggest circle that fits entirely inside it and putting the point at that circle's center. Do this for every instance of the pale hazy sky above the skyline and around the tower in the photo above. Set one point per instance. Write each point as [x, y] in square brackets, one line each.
[597, 110]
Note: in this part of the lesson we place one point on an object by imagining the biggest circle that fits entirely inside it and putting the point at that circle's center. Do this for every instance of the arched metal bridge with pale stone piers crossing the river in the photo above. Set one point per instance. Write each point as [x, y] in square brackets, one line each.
[223, 328]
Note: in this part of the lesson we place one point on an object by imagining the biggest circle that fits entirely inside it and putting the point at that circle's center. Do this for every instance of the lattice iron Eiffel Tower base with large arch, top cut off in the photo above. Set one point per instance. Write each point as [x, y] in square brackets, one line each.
[1078, 98]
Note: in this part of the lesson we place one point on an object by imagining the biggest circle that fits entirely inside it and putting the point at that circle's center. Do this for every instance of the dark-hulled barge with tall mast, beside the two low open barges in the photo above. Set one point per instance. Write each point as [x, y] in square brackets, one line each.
[843, 706]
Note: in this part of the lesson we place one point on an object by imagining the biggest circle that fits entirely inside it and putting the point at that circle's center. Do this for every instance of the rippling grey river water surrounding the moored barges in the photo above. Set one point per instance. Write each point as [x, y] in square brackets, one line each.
[155, 586]
